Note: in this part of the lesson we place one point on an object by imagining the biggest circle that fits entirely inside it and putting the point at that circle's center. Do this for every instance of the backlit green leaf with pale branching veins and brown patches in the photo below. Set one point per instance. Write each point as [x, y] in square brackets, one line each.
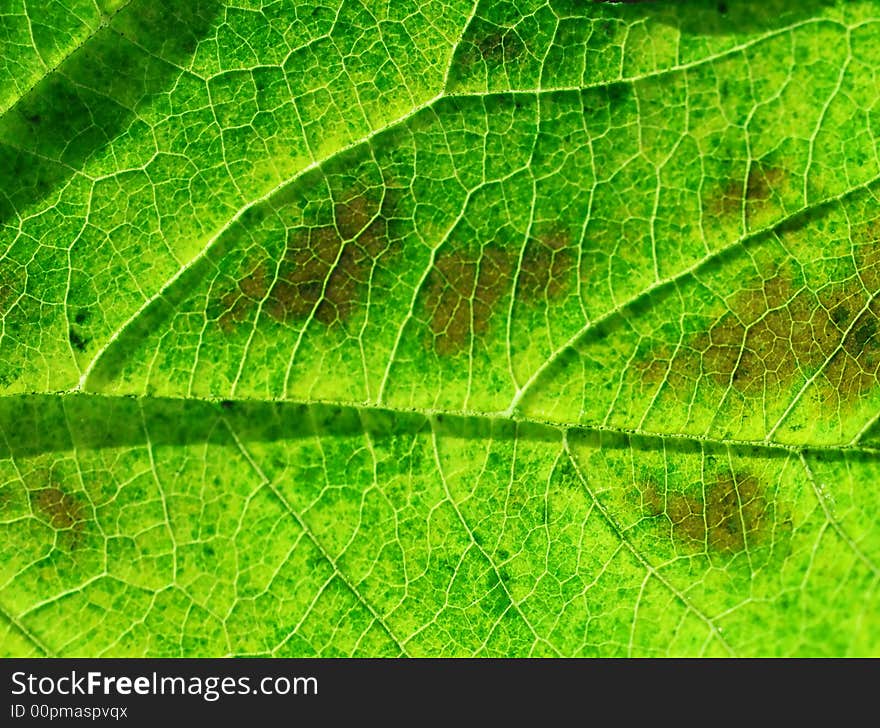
[418, 328]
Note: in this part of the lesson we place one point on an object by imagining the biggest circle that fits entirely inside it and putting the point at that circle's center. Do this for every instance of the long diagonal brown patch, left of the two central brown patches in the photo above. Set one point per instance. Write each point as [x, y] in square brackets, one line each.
[324, 269]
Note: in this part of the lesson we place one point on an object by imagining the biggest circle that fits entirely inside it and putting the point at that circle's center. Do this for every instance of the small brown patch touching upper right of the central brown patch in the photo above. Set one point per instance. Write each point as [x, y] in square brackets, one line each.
[547, 267]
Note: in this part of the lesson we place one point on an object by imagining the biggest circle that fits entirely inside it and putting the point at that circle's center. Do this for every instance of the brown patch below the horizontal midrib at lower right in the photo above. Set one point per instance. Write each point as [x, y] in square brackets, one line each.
[728, 514]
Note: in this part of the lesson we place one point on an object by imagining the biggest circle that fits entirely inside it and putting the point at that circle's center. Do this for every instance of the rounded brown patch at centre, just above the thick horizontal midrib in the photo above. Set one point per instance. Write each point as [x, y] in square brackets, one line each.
[462, 293]
